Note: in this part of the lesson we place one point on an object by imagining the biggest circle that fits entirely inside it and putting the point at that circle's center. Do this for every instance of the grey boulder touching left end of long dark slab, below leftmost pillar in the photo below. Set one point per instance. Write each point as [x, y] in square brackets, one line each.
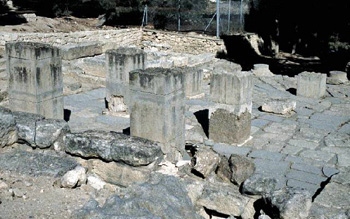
[50, 131]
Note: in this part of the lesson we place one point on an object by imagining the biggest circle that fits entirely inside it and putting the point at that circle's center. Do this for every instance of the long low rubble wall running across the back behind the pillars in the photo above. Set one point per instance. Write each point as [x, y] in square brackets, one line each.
[112, 39]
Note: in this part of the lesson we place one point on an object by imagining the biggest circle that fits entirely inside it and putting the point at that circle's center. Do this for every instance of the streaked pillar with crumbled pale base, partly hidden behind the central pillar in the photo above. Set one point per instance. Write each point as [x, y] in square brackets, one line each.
[119, 63]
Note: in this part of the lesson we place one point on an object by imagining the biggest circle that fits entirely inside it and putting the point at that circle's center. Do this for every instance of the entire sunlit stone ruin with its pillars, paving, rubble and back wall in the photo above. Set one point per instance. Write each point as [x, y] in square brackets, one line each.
[199, 138]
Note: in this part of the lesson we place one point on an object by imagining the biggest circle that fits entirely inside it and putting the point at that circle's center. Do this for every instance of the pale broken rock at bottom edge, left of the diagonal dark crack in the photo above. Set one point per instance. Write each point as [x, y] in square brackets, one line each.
[291, 203]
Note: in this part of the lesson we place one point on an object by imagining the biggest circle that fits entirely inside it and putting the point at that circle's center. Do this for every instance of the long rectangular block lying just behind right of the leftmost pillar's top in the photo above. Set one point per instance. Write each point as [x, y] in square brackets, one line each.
[79, 50]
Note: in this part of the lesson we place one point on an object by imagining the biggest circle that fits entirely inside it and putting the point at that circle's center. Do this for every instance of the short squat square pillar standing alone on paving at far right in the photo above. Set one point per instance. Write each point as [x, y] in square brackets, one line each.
[311, 84]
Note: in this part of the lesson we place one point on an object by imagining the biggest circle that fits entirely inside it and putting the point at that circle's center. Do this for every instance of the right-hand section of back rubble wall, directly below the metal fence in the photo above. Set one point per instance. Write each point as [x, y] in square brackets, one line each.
[182, 43]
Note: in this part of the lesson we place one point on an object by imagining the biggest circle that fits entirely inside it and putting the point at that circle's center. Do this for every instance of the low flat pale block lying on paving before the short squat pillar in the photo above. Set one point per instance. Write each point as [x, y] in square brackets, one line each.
[279, 106]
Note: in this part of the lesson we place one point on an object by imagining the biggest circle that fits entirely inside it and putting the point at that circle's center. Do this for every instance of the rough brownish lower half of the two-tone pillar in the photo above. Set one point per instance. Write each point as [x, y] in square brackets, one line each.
[228, 127]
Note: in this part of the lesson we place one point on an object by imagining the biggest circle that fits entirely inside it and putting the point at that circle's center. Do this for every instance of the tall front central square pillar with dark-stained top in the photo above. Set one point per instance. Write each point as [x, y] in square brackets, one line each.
[158, 109]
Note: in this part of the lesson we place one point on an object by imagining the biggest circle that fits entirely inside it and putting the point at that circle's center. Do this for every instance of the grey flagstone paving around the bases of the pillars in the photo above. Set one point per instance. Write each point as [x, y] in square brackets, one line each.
[308, 148]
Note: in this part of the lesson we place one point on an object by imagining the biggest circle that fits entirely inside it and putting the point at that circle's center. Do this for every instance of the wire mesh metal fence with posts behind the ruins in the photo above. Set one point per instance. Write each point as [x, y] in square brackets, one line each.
[199, 19]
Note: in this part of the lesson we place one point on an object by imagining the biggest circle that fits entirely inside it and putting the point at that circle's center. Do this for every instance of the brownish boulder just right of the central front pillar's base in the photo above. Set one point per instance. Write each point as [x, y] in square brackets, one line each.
[205, 161]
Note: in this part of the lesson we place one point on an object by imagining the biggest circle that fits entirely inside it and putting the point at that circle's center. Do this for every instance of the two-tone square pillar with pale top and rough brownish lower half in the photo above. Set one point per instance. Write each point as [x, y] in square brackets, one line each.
[232, 91]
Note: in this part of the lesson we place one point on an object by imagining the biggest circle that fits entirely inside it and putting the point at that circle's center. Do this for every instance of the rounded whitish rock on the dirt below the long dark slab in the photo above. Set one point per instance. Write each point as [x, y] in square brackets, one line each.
[74, 178]
